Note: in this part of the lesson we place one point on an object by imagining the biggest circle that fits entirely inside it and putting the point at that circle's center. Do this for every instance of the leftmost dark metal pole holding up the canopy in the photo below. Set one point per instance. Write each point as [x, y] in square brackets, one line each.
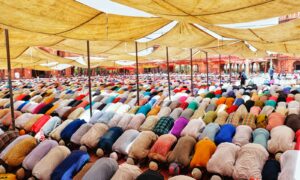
[9, 78]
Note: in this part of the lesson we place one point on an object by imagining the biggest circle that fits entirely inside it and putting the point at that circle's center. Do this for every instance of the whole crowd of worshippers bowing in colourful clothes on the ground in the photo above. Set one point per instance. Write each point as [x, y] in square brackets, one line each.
[223, 132]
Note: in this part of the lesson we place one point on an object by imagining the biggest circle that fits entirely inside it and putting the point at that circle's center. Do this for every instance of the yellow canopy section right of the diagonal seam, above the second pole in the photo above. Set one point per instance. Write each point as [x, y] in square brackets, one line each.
[116, 28]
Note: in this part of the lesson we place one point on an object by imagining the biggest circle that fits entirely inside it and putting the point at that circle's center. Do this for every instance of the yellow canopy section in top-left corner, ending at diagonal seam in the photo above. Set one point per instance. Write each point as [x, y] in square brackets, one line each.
[50, 17]
